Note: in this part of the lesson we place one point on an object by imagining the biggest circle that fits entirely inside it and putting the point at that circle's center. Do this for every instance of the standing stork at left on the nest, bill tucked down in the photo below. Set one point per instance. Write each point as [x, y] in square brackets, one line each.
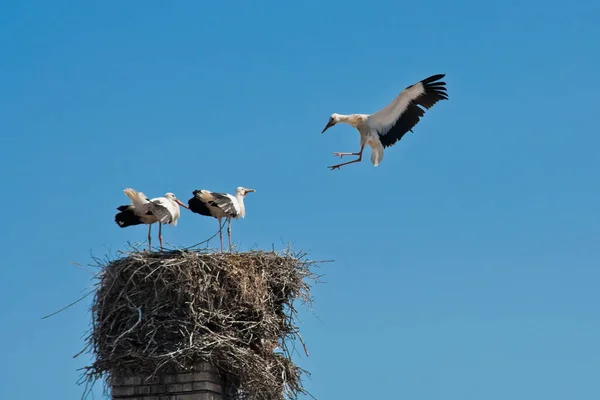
[164, 210]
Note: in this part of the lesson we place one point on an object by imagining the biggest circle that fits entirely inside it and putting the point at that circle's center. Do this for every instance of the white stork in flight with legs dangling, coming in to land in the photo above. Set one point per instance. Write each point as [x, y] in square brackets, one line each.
[387, 126]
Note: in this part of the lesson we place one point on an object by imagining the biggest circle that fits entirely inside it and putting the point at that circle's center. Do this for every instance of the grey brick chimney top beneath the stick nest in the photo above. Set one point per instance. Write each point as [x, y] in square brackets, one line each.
[202, 384]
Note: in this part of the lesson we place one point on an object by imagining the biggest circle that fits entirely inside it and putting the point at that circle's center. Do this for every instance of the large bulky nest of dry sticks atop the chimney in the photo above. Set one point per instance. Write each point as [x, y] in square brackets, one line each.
[159, 312]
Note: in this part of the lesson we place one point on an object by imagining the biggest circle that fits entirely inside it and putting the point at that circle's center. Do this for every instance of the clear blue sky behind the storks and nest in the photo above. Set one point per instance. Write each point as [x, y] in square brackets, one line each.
[467, 263]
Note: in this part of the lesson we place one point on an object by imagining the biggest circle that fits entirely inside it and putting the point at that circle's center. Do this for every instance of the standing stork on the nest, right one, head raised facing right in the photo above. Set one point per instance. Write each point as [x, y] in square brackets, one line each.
[219, 206]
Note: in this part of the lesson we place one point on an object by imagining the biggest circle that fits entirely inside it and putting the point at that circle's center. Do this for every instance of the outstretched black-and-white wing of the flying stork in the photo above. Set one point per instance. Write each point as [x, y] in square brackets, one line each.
[403, 113]
